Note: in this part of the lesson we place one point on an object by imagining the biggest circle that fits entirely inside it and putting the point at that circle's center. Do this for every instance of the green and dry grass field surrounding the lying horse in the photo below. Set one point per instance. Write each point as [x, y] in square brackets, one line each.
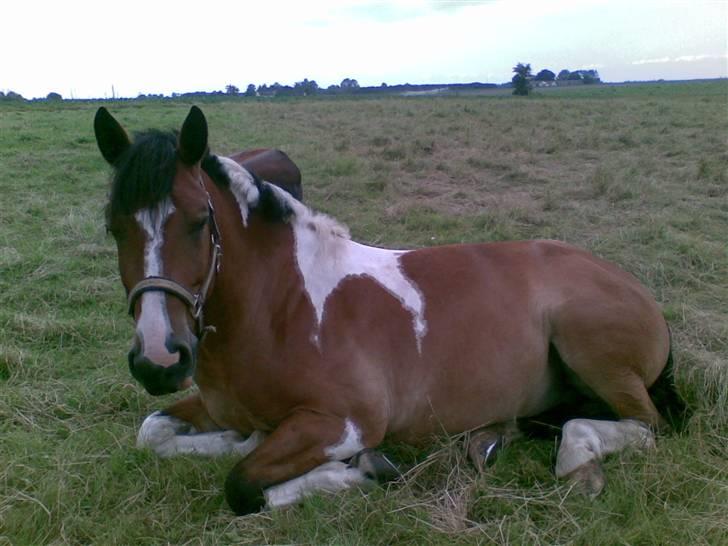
[638, 175]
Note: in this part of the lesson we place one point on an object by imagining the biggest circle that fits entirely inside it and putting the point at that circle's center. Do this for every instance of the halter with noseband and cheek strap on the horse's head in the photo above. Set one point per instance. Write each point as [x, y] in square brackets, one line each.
[194, 302]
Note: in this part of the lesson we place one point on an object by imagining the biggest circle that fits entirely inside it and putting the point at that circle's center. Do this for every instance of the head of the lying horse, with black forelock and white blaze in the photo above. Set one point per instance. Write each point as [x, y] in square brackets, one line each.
[161, 217]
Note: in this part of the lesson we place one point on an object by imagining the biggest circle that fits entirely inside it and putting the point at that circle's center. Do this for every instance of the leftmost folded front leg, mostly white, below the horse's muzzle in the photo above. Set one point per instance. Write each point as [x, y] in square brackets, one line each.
[185, 427]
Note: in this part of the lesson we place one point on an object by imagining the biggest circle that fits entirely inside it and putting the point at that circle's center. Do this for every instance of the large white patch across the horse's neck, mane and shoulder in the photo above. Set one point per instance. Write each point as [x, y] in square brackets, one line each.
[326, 256]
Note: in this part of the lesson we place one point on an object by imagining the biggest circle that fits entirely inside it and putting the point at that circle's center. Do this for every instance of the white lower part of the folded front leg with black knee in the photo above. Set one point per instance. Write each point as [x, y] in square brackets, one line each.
[329, 477]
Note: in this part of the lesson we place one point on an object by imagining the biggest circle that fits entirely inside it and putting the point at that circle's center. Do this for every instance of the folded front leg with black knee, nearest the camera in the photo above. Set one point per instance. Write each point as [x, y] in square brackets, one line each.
[302, 455]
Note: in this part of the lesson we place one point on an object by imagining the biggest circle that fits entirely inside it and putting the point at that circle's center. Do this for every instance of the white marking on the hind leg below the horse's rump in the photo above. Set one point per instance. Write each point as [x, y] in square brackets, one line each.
[584, 440]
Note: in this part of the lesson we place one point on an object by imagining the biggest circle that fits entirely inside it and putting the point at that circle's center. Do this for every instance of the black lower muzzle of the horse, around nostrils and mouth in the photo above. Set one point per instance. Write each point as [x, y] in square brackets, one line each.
[158, 379]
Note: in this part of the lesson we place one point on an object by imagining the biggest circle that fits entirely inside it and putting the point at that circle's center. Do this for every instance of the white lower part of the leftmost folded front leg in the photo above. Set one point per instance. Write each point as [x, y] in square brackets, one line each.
[168, 436]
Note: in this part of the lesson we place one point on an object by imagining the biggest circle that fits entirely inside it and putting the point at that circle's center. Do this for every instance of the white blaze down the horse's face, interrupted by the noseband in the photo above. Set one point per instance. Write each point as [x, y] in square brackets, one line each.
[153, 325]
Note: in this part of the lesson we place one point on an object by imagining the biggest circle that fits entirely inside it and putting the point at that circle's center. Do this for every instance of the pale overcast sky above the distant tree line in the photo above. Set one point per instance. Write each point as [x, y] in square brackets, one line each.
[98, 49]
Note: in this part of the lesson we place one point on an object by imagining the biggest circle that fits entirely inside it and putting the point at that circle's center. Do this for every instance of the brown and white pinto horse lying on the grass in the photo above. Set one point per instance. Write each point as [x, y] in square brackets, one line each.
[307, 349]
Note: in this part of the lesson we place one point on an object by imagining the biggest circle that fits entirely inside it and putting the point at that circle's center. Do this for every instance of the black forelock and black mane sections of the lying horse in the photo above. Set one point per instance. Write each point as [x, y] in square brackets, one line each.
[144, 175]
